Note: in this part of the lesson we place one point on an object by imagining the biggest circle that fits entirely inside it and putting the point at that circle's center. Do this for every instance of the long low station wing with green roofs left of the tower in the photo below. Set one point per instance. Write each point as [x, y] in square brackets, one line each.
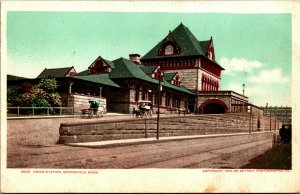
[119, 84]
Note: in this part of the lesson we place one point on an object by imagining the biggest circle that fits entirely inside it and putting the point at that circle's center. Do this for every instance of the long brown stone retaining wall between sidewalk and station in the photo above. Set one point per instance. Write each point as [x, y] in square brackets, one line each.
[169, 126]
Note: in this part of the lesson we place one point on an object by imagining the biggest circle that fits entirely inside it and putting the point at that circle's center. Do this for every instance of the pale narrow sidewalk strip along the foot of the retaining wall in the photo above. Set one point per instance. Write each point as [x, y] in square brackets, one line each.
[124, 142]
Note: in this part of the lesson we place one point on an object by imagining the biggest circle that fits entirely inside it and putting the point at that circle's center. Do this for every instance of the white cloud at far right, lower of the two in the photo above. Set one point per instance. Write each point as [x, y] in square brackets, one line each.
[268, 77]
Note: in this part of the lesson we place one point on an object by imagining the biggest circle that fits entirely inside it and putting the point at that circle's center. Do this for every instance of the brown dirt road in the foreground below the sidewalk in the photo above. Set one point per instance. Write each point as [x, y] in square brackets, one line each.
[36, 148]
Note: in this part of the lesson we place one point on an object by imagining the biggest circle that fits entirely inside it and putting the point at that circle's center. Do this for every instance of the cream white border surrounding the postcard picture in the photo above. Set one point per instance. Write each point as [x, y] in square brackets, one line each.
[154, 180]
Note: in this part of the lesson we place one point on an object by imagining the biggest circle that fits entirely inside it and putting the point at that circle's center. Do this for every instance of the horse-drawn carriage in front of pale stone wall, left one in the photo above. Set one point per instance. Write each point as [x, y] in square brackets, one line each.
[95, 110]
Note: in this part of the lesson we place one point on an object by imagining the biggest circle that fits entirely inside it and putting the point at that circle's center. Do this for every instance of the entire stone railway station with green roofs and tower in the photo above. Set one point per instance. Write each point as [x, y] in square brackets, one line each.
[189, 74]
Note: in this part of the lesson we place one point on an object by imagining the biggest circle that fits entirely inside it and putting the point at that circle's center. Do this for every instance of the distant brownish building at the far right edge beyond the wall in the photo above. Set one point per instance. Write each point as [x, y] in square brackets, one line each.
[284, 114]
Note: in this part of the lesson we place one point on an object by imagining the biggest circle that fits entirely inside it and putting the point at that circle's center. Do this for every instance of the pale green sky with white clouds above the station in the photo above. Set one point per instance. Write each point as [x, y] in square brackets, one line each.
[254, 49]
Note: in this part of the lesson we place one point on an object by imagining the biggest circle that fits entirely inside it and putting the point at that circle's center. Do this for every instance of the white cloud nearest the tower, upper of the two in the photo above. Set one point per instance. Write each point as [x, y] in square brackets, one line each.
[239, 65]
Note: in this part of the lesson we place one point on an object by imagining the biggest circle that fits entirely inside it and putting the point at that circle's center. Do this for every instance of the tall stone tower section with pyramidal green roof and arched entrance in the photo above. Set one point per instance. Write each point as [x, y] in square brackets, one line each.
[194, 62]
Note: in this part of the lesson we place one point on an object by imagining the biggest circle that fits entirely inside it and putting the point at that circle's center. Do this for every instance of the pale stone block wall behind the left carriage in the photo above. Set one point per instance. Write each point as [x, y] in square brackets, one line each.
[78, 101]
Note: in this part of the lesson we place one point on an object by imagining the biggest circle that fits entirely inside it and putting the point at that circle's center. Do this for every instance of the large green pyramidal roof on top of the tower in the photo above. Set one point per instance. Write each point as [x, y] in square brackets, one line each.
[188, 43]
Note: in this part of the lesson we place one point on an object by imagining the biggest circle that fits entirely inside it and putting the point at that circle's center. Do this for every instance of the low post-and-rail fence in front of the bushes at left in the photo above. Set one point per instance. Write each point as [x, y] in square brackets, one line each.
[39, 111]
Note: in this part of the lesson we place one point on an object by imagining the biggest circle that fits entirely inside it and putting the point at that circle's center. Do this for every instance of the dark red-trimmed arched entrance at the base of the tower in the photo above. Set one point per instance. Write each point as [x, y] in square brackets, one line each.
[213, 106]
